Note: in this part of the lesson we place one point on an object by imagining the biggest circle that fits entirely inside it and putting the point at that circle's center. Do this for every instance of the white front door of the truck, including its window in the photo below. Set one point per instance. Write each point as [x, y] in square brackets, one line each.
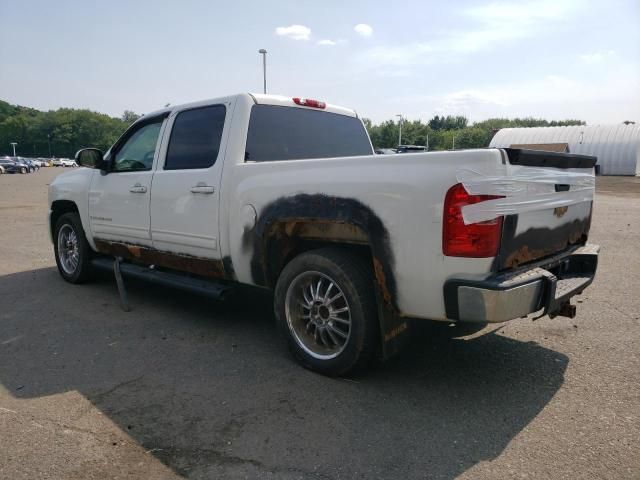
[119, 199]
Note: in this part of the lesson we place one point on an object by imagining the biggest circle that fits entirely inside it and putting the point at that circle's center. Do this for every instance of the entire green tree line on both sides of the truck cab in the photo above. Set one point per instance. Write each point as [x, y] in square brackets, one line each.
[60, 133]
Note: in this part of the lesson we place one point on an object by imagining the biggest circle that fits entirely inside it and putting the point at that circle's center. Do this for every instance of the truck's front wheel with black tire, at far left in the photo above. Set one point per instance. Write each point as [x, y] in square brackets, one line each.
[80, 270]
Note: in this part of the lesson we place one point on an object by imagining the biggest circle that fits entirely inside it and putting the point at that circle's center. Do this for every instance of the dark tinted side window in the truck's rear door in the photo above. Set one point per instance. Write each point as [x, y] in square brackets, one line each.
[195, 138]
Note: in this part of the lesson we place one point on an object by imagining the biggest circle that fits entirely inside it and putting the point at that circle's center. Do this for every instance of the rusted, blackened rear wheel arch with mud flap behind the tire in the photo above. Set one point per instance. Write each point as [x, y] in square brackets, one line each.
[292, 225]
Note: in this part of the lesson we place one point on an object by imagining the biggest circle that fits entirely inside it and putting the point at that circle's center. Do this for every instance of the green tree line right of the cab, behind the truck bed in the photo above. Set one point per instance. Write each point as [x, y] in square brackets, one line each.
[448, 132]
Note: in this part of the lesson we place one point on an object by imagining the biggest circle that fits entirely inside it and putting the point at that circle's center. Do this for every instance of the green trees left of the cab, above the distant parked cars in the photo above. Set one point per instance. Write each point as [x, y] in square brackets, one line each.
[57, 133]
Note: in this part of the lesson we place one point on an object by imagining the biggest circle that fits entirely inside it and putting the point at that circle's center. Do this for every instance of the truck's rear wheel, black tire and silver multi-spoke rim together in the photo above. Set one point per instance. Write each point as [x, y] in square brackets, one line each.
[320, 333]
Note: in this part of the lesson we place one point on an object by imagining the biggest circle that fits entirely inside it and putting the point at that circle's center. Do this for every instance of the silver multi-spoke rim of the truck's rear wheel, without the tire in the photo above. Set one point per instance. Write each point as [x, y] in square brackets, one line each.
[318, 315]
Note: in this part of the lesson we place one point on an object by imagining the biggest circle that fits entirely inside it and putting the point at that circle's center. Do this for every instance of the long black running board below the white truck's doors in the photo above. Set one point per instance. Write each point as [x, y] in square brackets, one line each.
[169, 279]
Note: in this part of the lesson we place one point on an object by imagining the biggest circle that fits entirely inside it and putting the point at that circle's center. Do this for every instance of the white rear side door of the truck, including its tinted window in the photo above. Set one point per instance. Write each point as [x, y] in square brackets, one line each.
[186, 186]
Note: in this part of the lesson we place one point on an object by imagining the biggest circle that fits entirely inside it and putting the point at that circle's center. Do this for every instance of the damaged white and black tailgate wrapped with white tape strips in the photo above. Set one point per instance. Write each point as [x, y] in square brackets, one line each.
[545, 201]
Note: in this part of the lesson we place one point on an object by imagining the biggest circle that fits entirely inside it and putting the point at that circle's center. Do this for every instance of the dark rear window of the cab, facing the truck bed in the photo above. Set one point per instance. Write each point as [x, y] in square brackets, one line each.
[289, 133]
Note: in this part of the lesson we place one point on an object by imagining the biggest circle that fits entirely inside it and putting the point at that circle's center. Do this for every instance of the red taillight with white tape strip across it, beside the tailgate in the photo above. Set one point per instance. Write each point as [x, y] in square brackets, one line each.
[474, 240]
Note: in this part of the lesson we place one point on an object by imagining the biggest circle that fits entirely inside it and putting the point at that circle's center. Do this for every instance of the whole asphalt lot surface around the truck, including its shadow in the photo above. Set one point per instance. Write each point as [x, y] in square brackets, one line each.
[185, 387]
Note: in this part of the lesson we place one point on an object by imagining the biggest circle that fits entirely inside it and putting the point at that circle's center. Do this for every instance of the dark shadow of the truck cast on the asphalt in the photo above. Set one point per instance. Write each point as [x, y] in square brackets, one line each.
[208, 389]
